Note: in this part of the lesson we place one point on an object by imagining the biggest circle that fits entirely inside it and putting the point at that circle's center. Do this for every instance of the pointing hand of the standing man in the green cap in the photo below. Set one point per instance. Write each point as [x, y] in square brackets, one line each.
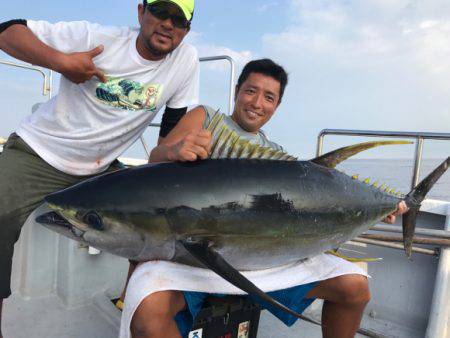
[79, 67]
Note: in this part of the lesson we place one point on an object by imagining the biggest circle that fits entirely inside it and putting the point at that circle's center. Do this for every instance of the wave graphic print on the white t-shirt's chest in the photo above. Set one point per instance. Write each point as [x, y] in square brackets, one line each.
[129, 95]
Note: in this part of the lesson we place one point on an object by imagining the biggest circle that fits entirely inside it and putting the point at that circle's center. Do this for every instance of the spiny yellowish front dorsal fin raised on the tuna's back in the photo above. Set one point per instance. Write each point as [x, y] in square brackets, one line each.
[226, 143]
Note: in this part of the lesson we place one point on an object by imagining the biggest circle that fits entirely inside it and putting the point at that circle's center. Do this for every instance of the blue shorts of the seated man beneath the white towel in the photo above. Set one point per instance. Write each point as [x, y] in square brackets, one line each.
[293, 298]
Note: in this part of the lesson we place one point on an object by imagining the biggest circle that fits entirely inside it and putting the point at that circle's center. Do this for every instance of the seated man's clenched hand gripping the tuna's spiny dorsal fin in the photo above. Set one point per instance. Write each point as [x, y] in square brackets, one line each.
[195, 145]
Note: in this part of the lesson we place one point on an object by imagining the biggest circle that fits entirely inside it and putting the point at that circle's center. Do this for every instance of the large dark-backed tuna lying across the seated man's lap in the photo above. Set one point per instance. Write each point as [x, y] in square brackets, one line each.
[228, 215]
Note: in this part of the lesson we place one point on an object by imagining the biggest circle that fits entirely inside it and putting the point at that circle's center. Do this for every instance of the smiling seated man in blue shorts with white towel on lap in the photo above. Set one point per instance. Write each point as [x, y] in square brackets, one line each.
[153, 307]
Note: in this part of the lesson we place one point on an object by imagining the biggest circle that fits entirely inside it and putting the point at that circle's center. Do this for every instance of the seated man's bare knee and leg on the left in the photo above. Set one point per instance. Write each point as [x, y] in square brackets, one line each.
[155, 315]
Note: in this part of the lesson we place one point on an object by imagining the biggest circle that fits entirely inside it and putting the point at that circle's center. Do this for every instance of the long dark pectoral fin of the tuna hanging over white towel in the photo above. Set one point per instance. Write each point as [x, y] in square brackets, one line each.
[204, 252]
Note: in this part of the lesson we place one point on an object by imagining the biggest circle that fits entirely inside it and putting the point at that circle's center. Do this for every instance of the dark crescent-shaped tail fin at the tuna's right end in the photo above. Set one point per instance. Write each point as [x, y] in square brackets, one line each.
[413, 200]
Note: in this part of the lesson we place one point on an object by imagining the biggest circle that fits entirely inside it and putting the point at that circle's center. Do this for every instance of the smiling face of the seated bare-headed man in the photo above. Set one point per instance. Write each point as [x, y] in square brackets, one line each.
[256, 101]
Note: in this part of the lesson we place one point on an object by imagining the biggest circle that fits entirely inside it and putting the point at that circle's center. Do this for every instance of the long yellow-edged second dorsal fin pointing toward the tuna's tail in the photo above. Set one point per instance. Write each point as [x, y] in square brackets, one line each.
[333, 158]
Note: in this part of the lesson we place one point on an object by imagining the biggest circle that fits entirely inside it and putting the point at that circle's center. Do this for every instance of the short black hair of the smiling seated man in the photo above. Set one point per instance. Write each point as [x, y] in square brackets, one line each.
[266, 67]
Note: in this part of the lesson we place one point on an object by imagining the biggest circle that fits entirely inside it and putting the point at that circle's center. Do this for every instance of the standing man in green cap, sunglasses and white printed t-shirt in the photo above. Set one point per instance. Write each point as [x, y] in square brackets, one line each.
[114, 81]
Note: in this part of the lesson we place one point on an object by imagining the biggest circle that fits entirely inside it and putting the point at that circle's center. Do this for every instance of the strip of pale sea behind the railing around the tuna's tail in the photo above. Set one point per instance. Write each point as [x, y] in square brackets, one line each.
[398, 174]
